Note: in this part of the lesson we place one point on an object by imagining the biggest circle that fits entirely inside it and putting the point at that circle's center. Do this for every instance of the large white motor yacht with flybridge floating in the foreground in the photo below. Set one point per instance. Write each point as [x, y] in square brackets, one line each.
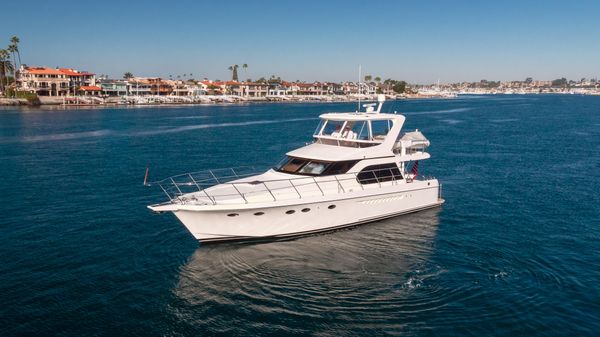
[359, 168]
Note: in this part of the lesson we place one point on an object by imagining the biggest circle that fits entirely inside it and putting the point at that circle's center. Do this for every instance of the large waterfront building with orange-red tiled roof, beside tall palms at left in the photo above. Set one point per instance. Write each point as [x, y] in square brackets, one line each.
[46, 81]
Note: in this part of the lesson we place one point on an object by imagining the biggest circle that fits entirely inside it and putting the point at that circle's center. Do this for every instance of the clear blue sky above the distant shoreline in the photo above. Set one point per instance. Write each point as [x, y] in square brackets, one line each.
[417, 41]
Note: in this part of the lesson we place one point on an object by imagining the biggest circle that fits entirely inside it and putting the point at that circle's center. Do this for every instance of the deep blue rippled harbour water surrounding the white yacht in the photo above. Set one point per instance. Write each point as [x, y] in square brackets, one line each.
[514, 251]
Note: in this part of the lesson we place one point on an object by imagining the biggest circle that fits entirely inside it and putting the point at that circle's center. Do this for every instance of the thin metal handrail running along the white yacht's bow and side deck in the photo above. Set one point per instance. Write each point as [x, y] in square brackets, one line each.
[177, 191]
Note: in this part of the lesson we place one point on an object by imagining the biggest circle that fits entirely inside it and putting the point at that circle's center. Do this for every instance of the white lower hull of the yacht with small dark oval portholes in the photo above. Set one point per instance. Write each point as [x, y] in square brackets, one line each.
[305, 216]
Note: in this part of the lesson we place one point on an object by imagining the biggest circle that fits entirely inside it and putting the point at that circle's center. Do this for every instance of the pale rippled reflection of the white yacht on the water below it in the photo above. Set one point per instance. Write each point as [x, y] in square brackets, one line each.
[359, 275]
